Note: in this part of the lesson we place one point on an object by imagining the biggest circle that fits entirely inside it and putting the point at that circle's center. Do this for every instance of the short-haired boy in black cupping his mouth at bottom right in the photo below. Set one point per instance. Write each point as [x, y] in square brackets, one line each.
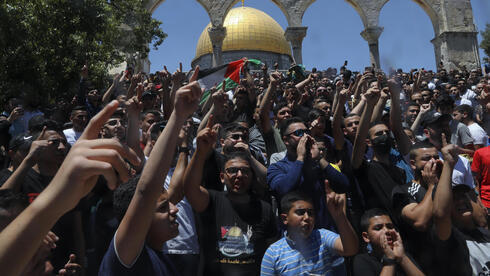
[388, 256]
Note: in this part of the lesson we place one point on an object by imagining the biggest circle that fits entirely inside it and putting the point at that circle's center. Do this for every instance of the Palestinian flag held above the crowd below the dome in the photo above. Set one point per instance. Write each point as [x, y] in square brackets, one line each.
[230, 72]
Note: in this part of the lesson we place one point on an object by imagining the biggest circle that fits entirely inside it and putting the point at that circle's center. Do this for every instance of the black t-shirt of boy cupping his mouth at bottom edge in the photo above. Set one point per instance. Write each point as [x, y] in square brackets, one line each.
[367, 265]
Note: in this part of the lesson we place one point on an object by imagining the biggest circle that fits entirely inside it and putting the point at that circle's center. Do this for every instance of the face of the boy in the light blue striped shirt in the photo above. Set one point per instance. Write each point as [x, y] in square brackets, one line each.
[300, 220]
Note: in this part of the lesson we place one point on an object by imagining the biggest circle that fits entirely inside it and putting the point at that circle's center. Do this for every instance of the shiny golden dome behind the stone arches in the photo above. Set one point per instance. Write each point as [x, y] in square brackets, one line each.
[247, 29]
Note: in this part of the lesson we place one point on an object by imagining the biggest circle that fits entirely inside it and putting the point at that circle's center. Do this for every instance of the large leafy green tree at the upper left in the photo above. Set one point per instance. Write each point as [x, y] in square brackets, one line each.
[44, 43]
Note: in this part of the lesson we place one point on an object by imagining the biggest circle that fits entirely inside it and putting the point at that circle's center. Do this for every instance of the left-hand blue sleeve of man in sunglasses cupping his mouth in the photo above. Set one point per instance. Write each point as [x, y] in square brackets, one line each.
[282, 177]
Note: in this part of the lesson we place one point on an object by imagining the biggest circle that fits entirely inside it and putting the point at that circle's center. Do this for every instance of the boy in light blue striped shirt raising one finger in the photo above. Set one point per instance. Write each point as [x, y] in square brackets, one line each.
[304, 250]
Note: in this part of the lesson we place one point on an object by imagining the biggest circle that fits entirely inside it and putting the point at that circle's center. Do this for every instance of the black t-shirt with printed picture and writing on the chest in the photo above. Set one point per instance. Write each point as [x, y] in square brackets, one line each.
[235, 236]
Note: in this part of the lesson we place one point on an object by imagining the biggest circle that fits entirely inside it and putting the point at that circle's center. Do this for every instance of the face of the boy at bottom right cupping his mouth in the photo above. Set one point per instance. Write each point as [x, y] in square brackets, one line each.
[380, 226]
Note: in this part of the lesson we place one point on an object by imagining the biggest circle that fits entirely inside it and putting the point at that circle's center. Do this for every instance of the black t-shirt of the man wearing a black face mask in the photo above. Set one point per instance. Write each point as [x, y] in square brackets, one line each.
[377, 181]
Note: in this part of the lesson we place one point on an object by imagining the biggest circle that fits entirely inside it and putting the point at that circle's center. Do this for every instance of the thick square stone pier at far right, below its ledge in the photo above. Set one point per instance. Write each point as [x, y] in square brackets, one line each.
[457, 49]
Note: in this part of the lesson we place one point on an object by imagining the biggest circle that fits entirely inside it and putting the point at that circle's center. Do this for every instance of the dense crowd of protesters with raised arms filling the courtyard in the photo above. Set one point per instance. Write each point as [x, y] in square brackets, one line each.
[288, 173]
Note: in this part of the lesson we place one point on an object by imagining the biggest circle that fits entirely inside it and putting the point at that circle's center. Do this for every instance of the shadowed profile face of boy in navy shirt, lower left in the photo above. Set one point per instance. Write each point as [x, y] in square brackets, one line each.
[164, 225]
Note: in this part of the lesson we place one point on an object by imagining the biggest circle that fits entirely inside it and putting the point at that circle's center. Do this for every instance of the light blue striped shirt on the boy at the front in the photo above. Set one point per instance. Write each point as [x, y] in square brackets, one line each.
[314, 256]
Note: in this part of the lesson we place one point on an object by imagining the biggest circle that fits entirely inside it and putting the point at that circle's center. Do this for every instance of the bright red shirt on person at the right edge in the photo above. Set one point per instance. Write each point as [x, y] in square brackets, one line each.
[481, 167]
